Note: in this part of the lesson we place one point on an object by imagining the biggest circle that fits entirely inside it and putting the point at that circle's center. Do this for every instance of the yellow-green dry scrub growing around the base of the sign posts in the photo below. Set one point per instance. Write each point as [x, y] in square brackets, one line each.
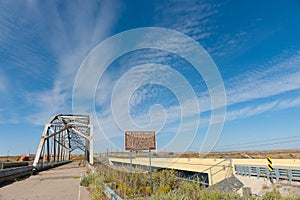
[166, 185]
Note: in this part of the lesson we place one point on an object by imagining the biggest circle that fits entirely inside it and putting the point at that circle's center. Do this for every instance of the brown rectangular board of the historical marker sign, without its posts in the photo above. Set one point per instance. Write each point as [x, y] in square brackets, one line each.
[140, 140]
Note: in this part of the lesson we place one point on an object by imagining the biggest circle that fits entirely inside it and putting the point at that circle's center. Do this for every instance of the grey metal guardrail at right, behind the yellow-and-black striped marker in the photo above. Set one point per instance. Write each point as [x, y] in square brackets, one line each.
[283, 173]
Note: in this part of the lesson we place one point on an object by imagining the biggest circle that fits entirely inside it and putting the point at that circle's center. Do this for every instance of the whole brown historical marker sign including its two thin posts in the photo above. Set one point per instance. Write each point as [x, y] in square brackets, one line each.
[141, 140]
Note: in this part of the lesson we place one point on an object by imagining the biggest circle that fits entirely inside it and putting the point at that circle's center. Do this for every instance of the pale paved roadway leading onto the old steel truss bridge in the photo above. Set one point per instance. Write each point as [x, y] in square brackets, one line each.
[59, 183]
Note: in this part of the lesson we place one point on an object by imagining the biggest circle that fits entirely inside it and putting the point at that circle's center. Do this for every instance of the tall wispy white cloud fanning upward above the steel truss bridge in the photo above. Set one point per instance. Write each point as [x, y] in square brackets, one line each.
[72, 35]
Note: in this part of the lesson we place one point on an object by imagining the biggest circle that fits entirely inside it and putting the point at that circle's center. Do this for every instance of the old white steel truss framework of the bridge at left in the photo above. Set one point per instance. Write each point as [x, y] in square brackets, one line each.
[62, 135]
